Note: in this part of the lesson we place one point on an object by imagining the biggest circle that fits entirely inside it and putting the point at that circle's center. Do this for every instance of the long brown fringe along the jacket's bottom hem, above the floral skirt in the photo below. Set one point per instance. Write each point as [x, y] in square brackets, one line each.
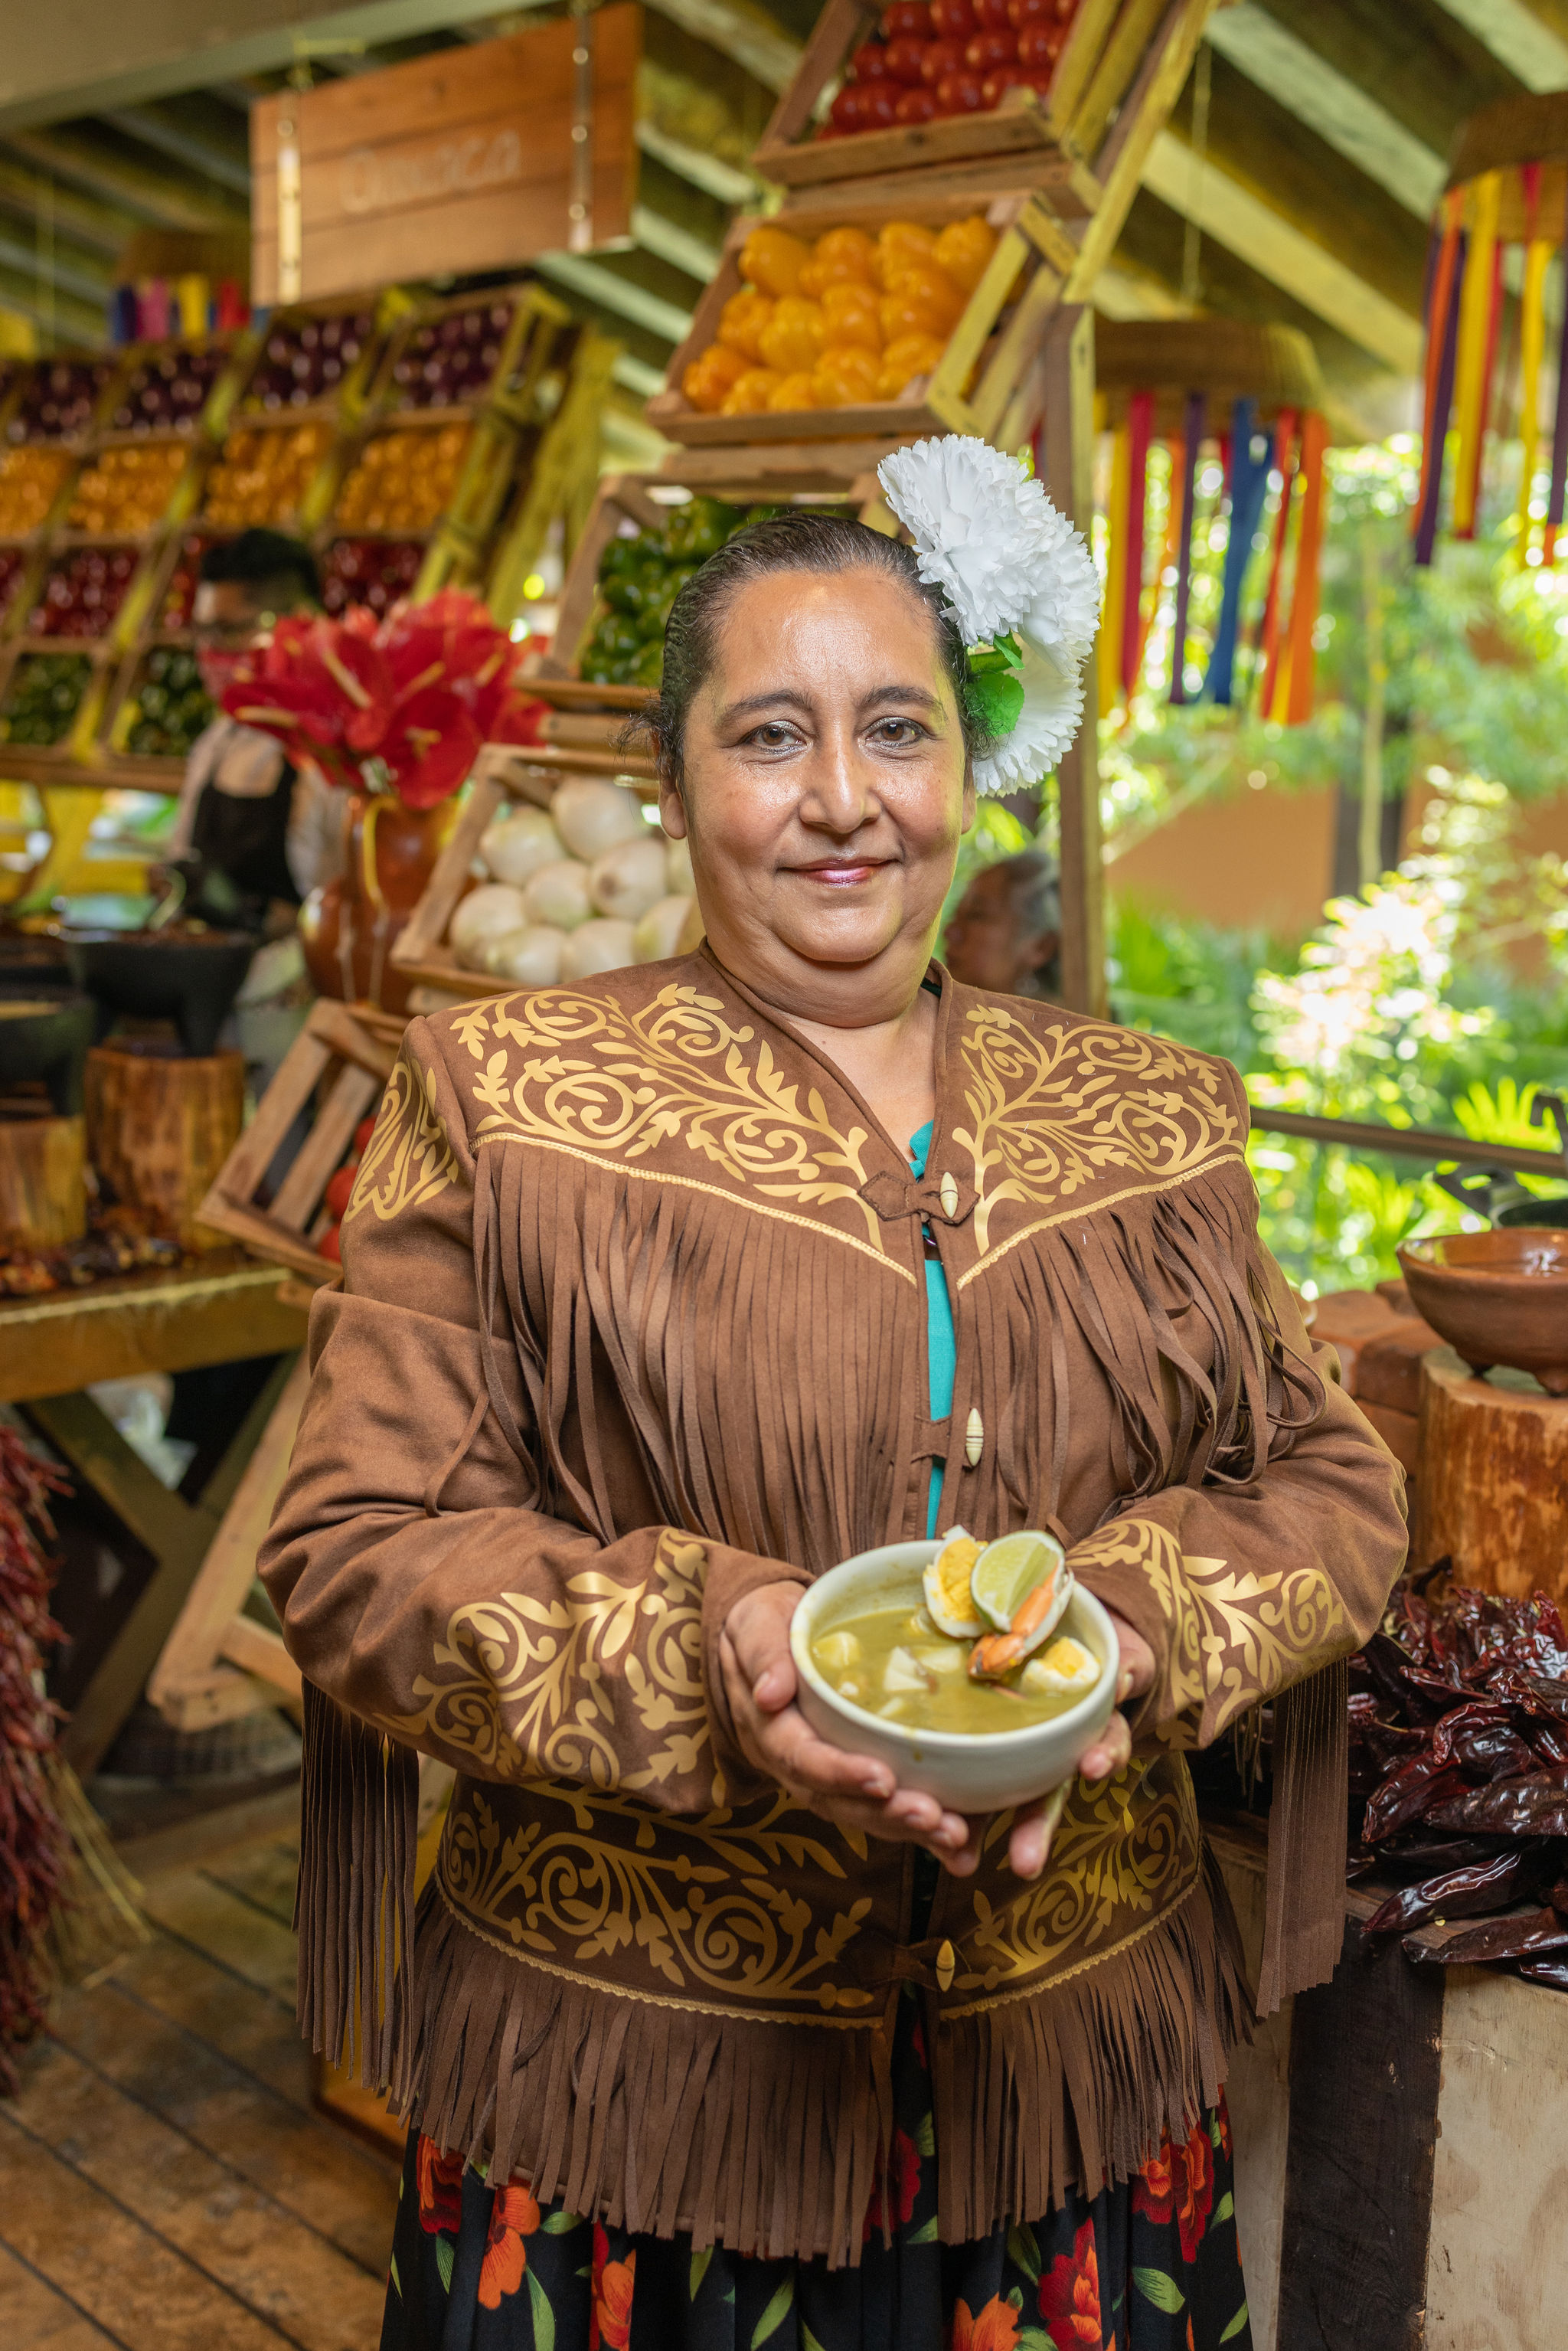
[770, 2138]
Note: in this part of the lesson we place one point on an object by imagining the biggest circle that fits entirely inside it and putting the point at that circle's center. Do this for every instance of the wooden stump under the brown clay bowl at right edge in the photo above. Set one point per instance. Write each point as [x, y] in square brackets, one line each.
[1492, 1487]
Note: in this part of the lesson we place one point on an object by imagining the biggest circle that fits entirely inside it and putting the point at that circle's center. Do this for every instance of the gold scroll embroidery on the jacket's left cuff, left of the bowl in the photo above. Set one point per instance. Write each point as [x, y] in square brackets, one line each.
[521, 1687]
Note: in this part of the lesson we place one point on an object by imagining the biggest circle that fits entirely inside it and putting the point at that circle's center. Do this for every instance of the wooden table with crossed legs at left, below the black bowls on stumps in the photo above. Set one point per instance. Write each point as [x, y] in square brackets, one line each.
[60, 1346]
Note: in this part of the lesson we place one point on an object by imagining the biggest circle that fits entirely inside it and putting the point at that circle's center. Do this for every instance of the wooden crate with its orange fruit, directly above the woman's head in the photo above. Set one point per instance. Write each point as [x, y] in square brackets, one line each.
[850, 323]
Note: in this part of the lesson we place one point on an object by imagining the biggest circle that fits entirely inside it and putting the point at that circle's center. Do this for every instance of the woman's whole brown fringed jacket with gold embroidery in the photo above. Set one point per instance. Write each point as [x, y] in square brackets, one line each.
[634, 1320]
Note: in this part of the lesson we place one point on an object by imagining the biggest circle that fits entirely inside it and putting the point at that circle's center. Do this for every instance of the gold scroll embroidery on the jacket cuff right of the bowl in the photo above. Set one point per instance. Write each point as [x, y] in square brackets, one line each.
[1238, 1635]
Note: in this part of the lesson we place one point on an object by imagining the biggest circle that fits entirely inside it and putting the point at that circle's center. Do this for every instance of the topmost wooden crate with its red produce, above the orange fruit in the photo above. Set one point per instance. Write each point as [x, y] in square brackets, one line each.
[989, 93]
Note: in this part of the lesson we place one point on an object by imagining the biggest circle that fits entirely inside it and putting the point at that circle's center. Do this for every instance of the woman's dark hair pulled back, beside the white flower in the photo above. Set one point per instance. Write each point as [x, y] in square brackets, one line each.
[796, 542]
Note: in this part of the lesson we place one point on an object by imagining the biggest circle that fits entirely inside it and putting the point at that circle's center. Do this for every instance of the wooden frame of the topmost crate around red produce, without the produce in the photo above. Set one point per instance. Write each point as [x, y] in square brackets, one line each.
[1026, 142]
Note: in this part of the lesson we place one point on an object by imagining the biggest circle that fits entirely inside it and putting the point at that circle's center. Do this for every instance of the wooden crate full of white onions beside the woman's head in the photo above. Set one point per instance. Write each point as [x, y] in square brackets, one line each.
[547, 878]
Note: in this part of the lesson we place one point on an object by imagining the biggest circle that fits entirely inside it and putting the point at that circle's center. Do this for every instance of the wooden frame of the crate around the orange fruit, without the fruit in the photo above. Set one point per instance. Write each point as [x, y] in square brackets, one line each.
[981, 370]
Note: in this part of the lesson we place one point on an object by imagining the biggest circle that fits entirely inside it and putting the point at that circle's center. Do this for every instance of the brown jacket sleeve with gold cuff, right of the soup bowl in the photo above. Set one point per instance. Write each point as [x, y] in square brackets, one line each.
[1245, 1590]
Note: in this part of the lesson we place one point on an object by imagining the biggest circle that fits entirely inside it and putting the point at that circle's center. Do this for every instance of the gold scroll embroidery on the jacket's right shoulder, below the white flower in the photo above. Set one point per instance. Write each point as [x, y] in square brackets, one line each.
[1050, 1116]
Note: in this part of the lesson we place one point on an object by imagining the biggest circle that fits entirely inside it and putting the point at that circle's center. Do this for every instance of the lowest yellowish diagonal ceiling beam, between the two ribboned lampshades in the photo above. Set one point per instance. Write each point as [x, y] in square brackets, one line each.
[1247, 227]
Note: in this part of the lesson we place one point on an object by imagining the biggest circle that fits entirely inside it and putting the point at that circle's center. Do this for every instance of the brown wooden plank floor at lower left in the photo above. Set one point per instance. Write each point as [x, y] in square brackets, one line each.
[166, 2183]
